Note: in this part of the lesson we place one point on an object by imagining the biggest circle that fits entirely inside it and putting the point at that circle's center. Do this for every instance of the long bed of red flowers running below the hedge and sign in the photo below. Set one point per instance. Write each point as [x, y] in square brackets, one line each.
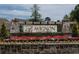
[40, 37]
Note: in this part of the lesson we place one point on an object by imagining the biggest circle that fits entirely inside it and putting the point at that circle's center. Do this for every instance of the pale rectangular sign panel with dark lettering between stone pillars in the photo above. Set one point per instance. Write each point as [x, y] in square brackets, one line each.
[39, 28]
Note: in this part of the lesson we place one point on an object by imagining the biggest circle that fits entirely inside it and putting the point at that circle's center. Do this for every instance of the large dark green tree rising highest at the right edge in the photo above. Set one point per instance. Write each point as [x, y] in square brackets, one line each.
[74, 16]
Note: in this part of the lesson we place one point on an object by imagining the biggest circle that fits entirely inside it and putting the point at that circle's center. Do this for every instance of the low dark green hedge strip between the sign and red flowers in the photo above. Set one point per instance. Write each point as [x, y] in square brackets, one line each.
[35, 34]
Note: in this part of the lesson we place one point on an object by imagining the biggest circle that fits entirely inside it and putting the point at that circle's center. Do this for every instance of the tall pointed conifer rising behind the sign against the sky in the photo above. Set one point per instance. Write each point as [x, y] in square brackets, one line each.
[36, 16]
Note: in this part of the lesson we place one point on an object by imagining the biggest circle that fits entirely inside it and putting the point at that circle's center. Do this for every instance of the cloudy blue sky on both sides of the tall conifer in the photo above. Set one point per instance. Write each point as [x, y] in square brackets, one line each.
[23, 11]
